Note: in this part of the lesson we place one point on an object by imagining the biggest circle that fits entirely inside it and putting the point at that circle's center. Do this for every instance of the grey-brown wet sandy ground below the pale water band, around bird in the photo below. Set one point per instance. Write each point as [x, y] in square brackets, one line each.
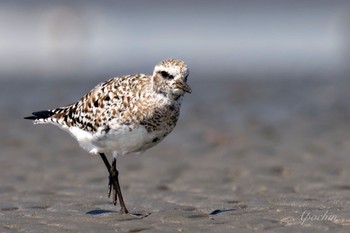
[246, 156]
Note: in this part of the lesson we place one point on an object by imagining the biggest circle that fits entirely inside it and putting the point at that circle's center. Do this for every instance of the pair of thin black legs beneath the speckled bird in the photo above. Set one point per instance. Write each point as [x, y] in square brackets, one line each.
[114, 183]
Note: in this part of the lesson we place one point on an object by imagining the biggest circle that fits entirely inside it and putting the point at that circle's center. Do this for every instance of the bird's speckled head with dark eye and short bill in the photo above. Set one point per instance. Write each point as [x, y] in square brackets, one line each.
[170, 77]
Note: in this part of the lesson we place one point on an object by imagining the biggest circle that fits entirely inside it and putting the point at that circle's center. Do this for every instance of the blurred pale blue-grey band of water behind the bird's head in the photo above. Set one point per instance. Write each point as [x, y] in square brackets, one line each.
[234, 39]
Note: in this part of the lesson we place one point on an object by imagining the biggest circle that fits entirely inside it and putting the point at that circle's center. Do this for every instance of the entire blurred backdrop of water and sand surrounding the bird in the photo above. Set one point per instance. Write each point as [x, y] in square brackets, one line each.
[263, 137]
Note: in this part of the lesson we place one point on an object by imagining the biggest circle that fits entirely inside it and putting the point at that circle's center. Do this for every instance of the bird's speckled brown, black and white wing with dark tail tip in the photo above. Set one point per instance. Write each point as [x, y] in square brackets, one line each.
[108, 100]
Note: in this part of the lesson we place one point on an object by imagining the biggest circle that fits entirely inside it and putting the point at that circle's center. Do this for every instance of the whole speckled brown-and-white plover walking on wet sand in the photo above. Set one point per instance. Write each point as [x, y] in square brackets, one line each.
[127, 114]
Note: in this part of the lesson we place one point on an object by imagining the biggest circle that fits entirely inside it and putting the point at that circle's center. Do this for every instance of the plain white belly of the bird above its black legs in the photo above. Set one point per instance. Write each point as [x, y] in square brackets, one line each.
[121, 140]
